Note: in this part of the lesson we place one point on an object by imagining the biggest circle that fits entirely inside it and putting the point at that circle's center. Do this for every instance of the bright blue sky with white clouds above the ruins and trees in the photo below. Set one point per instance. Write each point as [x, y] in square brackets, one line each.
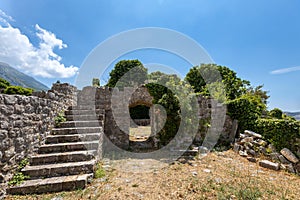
[255, 38]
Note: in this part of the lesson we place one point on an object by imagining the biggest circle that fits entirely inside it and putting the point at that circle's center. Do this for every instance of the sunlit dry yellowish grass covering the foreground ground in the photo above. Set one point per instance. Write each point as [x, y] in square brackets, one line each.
[220, 175]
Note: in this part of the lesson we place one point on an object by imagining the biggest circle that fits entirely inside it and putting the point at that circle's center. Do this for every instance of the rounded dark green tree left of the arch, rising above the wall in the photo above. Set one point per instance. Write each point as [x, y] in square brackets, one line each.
[128, 73]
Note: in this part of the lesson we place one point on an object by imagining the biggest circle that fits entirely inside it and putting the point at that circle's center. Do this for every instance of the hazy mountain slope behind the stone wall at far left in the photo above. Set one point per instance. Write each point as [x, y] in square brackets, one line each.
[15, 77]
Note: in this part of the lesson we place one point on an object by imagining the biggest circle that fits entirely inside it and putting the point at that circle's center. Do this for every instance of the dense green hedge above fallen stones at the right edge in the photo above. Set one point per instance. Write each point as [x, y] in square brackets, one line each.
[280, 132]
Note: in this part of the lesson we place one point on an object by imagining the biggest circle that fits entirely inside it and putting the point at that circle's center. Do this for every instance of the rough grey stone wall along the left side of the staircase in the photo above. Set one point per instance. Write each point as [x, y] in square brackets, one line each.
[26, 121]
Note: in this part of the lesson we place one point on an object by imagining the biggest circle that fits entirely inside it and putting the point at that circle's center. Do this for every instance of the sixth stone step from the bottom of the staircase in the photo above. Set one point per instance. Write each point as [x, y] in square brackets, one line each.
[76, 130]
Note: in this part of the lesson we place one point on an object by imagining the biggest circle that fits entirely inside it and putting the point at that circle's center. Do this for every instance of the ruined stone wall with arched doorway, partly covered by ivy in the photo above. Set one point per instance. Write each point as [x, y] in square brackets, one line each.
[115, 102]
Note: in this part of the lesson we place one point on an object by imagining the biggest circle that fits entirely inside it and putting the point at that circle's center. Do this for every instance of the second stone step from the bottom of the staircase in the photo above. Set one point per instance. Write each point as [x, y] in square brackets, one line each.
[59, 169]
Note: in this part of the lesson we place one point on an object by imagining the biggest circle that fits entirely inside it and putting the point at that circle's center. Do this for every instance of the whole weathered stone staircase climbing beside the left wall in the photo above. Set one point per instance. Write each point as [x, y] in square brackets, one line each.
[67, 159]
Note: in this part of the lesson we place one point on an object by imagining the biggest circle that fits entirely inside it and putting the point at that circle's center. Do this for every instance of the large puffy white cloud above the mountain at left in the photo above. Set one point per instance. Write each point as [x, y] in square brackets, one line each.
[17, 50]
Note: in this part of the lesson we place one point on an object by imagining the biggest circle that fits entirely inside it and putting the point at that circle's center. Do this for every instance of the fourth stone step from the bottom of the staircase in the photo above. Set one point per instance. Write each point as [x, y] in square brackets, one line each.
[66, 147]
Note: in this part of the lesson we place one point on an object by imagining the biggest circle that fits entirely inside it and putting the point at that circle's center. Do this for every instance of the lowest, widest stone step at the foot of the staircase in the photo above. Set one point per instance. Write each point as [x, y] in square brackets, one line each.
[55, 184]
